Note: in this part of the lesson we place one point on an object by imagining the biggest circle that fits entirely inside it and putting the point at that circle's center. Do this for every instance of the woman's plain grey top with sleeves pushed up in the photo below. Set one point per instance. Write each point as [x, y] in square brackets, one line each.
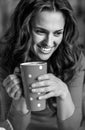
[47, 118]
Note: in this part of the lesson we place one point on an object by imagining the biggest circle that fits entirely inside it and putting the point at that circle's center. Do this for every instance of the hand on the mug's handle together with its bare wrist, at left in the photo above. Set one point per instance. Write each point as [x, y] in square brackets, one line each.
[12, 86]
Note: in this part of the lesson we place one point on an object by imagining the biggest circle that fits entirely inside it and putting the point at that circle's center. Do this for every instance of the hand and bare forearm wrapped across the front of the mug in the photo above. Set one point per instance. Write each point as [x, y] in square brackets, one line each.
[52, 86]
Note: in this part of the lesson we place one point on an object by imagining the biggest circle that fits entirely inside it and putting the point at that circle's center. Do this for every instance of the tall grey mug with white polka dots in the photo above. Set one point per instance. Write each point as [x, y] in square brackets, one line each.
[29, 73]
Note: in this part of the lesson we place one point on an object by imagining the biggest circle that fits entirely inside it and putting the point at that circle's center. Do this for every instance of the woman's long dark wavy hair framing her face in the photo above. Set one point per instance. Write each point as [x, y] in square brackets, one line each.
[16, 43]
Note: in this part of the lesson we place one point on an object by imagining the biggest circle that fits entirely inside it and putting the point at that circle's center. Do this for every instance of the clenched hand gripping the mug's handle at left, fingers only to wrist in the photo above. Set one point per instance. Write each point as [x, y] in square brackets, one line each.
[12, 86]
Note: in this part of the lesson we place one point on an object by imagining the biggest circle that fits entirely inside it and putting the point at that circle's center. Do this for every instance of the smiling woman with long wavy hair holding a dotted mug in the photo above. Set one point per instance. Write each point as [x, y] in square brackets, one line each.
[43, 30]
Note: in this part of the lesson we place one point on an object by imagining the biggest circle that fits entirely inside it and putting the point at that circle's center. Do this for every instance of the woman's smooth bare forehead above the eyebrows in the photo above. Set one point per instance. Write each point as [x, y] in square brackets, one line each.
[49, 20]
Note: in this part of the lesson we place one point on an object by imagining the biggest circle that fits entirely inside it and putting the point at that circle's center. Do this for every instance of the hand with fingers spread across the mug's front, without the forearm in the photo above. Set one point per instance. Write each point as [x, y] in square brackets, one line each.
[51, 86]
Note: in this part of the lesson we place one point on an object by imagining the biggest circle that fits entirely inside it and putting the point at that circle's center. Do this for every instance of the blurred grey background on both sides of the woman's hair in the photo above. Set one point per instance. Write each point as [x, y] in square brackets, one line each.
[7, 7]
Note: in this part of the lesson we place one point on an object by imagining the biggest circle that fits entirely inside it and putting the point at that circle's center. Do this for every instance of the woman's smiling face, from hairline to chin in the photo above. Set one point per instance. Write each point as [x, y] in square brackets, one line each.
[47, 33]
